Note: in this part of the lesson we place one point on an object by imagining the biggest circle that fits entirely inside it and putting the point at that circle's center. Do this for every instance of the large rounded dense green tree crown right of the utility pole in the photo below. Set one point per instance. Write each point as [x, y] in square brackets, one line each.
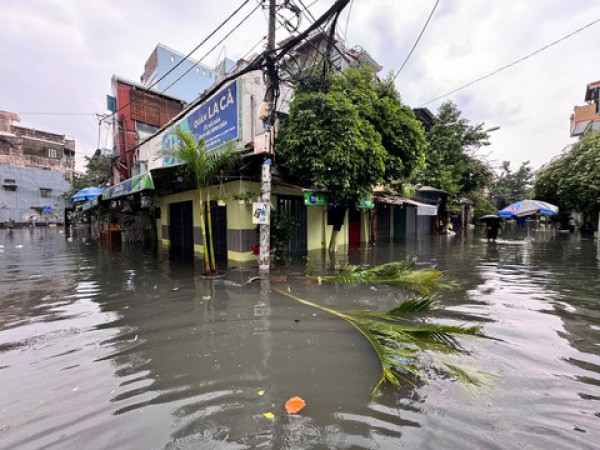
[350, 137]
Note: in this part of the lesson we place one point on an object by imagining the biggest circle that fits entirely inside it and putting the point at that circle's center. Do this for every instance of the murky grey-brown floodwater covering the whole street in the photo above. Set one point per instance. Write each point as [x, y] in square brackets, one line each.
[131, 350]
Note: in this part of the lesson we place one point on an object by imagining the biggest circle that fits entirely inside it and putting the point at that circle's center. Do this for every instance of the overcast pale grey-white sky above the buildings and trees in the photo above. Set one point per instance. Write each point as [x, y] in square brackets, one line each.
[57, 58]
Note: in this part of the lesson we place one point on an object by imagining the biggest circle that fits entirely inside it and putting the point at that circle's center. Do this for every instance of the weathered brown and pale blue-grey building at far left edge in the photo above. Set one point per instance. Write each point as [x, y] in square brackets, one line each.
[36, 168]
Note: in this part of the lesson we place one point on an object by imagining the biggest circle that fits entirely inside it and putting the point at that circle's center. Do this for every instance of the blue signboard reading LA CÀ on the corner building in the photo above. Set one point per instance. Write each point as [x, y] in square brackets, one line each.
[215, 121]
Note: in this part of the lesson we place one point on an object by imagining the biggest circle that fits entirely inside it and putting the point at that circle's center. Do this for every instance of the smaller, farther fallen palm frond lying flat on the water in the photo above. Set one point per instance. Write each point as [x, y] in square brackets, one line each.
[399, 273]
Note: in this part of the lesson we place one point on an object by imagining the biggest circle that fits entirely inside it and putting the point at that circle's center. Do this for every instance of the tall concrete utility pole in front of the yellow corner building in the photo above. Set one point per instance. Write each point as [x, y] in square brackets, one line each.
[264, 259]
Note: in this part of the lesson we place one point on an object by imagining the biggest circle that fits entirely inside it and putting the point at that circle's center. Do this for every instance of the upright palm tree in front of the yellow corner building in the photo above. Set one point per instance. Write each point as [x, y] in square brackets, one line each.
[205, 166]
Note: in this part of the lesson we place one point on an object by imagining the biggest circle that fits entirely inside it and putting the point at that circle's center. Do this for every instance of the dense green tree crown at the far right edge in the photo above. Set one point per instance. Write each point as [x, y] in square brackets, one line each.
[573, 181]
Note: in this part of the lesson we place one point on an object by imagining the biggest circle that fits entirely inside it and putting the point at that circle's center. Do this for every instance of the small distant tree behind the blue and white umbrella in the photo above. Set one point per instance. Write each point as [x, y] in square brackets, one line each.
[510, 186]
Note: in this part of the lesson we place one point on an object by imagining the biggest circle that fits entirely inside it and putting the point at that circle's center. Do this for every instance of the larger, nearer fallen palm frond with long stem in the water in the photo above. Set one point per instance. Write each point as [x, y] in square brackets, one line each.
[399, 343]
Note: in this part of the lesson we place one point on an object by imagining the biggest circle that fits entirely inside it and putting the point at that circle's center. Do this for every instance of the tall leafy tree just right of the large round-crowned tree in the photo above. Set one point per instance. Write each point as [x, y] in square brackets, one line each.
[448, 166]
